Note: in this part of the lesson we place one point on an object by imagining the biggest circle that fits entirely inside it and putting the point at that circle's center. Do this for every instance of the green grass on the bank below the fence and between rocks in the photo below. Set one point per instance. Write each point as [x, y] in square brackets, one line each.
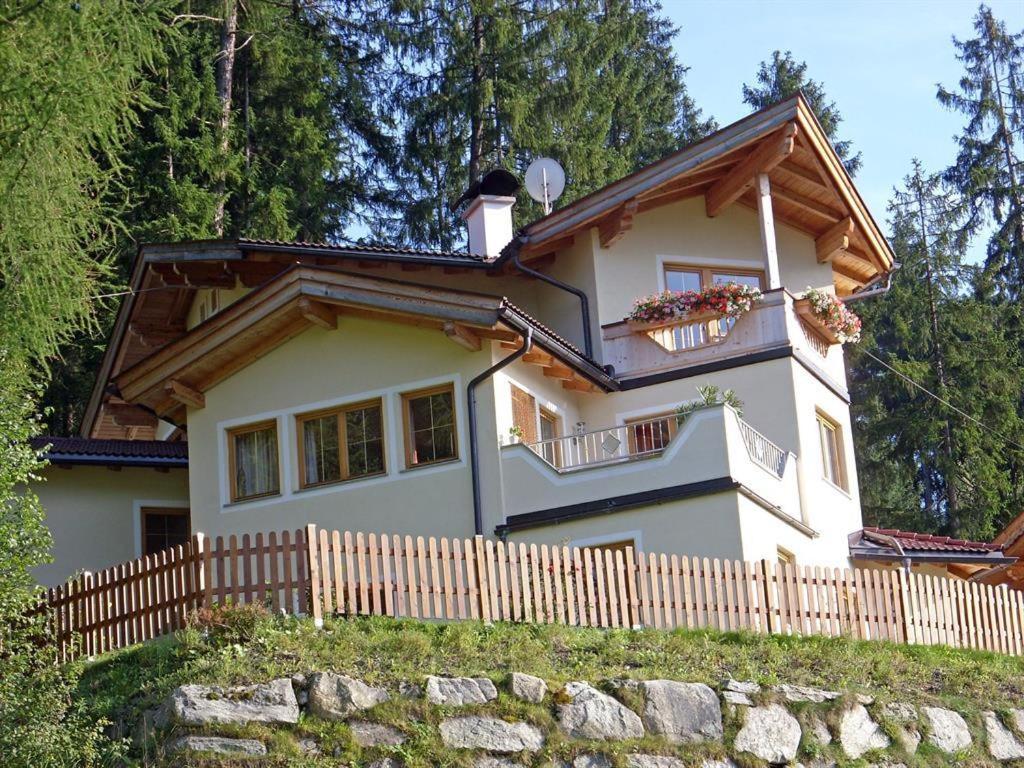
[251, 648]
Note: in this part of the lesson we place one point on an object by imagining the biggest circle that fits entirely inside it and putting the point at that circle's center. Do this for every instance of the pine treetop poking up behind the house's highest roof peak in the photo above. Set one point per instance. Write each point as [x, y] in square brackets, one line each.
[784, 77]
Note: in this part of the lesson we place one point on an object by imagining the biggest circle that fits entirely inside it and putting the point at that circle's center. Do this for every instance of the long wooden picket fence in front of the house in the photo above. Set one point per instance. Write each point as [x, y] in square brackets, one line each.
[330, 573]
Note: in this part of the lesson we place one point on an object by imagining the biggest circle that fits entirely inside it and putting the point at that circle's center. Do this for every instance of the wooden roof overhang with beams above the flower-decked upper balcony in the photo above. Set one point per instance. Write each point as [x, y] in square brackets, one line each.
[812, 192]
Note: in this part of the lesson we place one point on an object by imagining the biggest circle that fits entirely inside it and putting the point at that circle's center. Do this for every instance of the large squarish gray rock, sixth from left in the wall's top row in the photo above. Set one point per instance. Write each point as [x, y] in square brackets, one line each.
[681, 712]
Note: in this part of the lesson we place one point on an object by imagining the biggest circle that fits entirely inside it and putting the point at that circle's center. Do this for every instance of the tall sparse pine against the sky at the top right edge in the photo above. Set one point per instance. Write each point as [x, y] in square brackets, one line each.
[988, 172]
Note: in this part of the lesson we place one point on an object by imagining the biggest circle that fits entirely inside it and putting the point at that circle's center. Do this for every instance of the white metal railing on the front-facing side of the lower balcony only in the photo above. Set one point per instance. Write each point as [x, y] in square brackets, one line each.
[609, 446]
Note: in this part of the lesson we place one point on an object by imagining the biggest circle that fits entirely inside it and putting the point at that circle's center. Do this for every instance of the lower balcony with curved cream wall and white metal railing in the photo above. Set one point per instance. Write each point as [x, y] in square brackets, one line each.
[710, 445]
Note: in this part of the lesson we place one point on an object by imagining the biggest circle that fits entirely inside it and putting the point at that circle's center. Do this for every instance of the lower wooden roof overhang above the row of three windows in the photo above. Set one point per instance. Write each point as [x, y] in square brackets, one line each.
[177, 376]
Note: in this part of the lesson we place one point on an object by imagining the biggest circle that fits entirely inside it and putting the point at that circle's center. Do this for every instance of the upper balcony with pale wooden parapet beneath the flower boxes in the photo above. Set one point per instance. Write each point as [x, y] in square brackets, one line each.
[775, 323]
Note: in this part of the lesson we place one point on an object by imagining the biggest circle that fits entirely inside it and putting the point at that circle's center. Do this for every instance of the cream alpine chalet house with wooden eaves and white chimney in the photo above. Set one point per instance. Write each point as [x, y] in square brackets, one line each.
[516, 391]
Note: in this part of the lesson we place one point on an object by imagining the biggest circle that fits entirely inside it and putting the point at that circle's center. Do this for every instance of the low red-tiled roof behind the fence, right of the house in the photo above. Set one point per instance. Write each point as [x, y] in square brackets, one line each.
[894, 545]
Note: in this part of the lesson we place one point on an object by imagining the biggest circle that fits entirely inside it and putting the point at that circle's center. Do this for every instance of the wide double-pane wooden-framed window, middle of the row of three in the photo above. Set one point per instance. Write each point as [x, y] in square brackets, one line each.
[342, 444]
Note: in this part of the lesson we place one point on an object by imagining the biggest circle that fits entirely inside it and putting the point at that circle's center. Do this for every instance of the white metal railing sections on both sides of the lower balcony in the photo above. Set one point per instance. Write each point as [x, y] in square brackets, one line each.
[644, 439]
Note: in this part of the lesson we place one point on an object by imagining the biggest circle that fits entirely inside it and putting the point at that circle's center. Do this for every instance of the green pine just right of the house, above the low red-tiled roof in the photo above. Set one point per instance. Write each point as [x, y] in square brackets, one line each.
[923, 464]
